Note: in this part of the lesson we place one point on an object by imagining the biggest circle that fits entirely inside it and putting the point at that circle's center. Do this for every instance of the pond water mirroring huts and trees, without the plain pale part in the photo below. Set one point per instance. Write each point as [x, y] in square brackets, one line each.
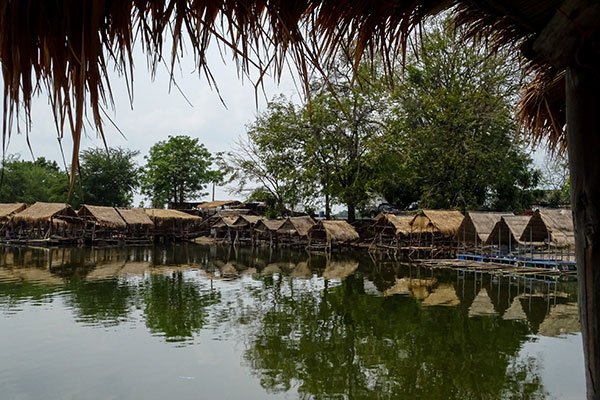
[341, 327]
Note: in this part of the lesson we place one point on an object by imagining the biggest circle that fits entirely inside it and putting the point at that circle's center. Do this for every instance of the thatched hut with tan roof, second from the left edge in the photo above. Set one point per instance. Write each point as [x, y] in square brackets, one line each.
[47, 223]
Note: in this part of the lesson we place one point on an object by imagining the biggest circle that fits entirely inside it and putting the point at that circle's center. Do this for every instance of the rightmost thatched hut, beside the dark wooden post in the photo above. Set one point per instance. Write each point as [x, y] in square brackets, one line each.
[552, 226]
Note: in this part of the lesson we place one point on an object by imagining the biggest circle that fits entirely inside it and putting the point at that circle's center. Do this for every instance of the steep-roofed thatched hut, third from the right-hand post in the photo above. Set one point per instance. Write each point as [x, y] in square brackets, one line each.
[475, 229]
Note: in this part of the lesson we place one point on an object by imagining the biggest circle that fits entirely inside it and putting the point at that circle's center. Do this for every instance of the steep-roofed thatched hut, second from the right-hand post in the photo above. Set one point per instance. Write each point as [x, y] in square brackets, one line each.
[505, 238]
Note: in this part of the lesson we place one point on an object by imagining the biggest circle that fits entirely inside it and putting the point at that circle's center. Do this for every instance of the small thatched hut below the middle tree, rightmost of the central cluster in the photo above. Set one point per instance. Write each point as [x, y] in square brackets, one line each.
[328, 234]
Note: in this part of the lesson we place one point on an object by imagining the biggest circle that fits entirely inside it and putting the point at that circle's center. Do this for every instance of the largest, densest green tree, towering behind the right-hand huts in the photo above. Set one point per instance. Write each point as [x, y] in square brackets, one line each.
[453, 144]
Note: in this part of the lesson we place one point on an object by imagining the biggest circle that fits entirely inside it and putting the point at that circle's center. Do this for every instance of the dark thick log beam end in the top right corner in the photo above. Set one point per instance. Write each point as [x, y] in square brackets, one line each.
[560, 41]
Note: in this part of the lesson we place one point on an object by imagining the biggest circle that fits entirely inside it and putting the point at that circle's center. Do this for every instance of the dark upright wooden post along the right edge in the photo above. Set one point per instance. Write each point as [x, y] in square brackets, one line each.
[583, 135]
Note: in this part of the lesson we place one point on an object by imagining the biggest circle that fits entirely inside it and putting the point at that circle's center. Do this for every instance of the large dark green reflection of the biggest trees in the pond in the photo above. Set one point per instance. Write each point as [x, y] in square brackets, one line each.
[343, 343]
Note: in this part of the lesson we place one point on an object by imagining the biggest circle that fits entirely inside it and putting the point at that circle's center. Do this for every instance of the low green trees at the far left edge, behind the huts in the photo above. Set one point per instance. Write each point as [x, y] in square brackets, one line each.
[31, 181]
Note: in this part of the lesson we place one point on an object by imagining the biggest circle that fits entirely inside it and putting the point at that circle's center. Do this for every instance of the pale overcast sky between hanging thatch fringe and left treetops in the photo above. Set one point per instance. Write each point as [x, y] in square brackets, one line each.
[159, 112]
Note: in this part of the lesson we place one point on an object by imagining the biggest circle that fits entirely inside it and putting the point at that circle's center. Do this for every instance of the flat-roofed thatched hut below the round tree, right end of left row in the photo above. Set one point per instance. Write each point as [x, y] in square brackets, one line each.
[173, 225]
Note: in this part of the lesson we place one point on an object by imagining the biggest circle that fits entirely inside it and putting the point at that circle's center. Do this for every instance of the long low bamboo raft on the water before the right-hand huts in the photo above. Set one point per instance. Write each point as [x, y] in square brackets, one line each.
[494, 267]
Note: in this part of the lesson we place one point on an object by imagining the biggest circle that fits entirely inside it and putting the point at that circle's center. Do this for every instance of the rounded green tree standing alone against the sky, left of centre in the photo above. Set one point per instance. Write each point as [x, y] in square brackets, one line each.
[177, 170]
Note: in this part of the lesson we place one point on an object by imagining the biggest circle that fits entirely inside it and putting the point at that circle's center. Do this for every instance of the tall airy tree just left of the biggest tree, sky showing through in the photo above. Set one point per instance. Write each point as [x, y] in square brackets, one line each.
[345, 118]
